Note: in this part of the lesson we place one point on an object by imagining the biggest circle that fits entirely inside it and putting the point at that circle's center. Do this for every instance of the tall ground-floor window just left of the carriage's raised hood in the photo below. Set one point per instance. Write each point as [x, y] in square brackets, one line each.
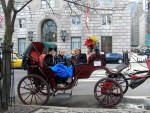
[21, 45]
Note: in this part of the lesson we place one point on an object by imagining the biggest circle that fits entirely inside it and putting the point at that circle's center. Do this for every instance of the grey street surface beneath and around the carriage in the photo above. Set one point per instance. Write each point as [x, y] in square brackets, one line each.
[83, 93]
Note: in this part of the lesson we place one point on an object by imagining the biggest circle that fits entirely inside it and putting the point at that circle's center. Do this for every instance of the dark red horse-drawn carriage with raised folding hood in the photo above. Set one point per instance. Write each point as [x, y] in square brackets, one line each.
[40, 82]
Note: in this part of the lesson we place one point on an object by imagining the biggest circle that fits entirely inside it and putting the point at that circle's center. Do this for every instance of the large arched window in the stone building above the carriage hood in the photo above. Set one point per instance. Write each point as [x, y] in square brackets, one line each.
[49, 31]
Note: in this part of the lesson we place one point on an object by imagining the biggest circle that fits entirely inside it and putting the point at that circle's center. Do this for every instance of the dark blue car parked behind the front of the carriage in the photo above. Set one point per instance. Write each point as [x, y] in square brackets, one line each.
[114, 58]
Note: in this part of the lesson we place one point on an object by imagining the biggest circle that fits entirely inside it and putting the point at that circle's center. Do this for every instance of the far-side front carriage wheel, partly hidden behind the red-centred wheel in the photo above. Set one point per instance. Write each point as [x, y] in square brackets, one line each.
[124, 84]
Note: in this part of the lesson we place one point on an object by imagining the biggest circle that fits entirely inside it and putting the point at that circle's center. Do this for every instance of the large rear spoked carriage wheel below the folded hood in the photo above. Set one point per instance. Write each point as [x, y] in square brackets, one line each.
[33, 90]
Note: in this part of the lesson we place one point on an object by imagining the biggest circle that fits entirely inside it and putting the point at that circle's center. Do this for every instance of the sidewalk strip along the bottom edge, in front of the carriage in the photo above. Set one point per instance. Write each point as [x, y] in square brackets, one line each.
[52, 109]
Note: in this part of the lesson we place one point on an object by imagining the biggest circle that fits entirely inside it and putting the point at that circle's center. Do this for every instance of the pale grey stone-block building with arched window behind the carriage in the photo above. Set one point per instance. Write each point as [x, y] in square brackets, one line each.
[46, 21]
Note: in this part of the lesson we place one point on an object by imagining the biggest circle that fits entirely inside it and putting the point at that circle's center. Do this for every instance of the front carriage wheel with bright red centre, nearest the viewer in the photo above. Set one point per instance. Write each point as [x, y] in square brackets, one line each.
[108, 92]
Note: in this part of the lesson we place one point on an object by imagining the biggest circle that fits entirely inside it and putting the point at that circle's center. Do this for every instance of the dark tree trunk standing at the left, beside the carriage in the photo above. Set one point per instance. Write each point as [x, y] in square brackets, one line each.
[6, 65]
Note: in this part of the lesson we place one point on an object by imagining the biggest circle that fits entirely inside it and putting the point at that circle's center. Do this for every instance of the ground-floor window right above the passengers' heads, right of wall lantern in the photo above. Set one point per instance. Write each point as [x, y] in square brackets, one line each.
[75, 42]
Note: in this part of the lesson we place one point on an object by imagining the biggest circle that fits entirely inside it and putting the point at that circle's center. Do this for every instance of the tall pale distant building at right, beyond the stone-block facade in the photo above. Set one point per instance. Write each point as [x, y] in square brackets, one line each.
[139, 24]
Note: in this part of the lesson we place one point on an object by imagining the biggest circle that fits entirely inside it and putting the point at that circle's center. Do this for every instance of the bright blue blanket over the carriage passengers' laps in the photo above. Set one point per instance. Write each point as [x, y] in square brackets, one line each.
[62, 71]
